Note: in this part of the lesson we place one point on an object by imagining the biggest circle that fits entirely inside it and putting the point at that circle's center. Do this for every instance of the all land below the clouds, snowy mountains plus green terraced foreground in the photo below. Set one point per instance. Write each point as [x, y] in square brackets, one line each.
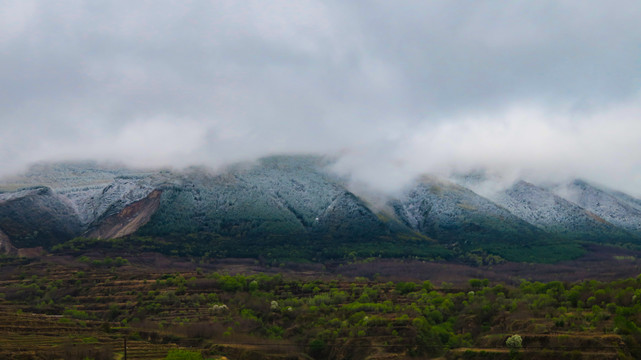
[283, 259]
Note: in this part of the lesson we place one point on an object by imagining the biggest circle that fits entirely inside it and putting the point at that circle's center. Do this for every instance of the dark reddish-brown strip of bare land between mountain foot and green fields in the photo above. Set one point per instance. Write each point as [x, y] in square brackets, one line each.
[601, 263]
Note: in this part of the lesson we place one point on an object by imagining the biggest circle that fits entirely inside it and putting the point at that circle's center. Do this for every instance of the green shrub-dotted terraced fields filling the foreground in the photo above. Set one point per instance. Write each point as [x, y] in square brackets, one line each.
[61, 307]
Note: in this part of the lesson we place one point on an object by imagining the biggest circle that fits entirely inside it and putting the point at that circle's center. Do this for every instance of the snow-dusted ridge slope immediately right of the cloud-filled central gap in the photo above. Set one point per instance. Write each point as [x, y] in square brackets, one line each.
[456, 215]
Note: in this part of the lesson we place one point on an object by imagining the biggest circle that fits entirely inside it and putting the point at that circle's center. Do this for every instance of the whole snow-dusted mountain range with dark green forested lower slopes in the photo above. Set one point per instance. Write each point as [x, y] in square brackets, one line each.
[292, 207]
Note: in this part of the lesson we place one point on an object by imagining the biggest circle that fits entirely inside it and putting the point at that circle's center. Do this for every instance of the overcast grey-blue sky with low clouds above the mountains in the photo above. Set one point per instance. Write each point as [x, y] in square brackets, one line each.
[394, 89]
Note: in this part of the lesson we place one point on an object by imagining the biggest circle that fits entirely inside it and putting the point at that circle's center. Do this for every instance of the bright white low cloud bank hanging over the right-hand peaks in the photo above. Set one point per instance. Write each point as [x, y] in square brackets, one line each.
[521, 142]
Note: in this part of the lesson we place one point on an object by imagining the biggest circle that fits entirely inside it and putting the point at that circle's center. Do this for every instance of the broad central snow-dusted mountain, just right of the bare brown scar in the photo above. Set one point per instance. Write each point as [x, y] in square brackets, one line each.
[278, 202]
